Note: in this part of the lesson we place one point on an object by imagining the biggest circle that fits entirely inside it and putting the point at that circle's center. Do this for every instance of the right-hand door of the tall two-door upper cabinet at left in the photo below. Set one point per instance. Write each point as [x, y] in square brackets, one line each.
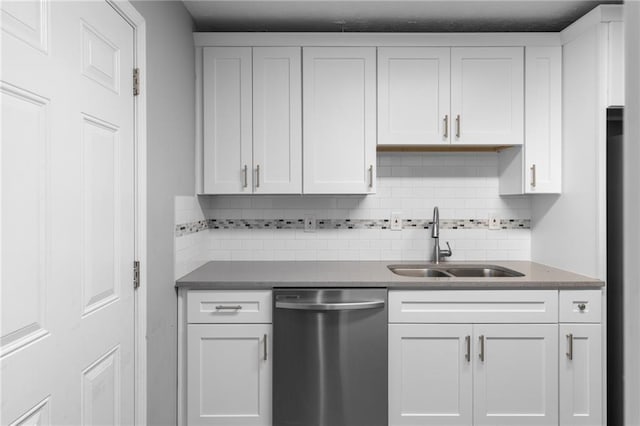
[277, 120]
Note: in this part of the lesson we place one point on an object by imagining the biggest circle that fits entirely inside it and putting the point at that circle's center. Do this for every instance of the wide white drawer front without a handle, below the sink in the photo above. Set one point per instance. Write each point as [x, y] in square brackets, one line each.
[484, 306]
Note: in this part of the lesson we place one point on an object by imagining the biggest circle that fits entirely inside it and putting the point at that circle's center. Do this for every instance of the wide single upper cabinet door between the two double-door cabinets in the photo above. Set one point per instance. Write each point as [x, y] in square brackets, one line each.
[339, 115]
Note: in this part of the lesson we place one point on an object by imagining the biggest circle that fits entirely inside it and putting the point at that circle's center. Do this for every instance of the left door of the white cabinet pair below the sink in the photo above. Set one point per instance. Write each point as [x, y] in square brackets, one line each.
[430, 374]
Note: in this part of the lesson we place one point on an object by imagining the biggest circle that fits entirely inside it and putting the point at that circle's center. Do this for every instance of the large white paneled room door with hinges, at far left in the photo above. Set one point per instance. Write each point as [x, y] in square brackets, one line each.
[67, 344]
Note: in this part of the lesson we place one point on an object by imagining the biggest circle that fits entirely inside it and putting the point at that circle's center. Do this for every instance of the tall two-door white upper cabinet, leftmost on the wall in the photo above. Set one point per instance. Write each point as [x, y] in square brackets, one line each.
[252, 120]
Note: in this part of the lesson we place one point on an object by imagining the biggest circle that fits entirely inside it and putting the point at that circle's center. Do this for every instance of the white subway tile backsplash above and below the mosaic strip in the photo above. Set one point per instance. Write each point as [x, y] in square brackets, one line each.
[463, 185]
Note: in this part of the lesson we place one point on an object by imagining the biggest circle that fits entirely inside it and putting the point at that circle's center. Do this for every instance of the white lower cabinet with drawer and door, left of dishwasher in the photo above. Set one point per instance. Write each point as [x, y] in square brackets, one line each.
[228, 367]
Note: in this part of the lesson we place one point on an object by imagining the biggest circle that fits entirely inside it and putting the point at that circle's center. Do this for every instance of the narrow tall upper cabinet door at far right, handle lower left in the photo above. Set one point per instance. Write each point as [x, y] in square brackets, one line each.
[543, 147]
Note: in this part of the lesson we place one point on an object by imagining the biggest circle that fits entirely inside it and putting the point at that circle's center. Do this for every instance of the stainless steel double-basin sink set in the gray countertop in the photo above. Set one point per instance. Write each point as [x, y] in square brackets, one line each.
[452, 270]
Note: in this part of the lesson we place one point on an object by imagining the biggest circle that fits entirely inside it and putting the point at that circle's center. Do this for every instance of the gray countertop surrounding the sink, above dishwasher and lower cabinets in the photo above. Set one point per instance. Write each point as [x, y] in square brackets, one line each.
[247, 275]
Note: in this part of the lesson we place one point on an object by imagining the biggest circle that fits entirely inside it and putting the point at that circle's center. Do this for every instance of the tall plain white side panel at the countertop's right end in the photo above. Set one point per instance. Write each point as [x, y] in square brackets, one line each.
[568, 229]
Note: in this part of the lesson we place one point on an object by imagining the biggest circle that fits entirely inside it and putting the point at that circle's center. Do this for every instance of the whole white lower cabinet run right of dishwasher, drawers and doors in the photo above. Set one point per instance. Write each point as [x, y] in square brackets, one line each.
[490, 357]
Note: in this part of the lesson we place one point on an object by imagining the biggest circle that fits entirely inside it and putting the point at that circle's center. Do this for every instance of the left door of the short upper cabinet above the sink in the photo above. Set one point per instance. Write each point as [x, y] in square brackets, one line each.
[413, 95]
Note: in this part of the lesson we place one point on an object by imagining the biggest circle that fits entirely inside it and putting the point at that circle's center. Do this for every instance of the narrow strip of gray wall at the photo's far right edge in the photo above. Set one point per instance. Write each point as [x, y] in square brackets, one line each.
[632, 214]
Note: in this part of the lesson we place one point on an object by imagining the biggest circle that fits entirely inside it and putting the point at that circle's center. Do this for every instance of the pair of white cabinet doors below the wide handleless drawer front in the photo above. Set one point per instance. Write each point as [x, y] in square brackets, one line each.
[481, 374]
